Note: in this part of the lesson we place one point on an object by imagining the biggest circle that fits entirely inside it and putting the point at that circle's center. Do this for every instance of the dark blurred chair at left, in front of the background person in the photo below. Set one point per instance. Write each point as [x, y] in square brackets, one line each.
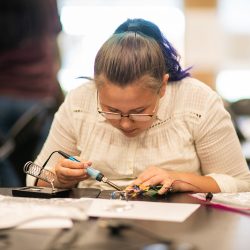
[23, 141]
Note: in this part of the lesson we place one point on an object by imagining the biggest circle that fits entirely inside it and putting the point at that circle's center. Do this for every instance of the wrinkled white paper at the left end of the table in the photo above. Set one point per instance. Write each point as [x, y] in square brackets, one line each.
[16, 212]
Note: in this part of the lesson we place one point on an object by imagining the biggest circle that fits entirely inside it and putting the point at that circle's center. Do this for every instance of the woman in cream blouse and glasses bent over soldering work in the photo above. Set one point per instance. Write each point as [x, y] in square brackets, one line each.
[144, 120]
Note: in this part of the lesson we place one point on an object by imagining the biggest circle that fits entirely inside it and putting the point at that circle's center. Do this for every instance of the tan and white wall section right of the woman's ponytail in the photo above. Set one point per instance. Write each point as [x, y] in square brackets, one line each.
[217, 44]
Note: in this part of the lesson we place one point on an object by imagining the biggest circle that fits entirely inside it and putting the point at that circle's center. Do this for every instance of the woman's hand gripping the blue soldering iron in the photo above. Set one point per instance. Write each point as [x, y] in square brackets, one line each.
[70, 173]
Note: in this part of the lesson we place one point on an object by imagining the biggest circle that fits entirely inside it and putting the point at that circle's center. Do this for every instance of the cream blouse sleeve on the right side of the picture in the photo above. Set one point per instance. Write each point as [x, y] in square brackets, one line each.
[219, 150]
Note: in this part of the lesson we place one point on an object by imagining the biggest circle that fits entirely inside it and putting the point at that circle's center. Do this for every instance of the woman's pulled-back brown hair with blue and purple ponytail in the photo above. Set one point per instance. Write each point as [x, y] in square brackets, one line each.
[137, 50]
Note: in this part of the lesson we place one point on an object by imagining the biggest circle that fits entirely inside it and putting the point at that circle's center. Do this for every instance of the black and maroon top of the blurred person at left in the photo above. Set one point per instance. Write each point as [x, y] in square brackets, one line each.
[28, 48]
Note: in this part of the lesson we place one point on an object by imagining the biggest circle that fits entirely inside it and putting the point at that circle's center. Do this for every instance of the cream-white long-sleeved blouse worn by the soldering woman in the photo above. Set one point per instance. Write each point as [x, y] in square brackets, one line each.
[192, 133]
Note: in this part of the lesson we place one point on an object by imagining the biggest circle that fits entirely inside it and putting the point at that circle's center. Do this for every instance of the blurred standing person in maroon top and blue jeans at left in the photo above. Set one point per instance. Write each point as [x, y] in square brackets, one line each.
[29, 62]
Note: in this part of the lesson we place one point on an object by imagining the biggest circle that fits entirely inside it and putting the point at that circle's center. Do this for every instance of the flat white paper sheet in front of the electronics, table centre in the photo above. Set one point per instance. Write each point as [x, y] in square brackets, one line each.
[141, 210]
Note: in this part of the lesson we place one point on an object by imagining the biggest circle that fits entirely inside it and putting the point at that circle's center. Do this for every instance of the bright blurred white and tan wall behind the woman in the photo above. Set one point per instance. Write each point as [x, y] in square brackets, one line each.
[212, 36]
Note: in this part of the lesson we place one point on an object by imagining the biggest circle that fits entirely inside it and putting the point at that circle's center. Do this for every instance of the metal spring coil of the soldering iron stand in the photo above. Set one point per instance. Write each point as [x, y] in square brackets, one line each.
[32, 169]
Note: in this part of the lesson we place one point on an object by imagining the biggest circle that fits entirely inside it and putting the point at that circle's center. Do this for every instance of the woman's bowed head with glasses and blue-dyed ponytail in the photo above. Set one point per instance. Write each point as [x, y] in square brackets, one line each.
[131, 72]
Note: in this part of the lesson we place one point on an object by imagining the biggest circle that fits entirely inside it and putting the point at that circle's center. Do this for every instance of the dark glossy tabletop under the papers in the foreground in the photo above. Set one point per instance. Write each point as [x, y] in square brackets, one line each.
[207, 228]
